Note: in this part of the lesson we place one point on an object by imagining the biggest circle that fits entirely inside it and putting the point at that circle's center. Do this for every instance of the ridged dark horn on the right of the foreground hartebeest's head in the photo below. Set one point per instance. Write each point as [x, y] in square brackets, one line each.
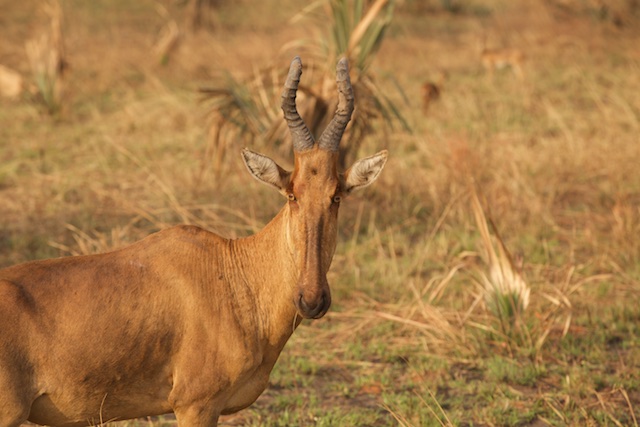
[330, 139]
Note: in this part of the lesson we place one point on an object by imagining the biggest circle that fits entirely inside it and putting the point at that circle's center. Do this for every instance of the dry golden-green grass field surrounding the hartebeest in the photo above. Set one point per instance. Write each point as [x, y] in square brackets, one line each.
[554, 160]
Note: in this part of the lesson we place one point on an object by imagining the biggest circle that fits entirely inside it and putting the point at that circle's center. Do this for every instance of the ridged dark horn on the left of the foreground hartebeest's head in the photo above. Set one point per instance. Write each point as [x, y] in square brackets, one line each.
[302, 139]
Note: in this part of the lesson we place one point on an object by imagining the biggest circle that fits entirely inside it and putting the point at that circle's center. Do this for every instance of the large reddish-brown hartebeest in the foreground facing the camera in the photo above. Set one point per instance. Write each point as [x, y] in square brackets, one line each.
[183, 321]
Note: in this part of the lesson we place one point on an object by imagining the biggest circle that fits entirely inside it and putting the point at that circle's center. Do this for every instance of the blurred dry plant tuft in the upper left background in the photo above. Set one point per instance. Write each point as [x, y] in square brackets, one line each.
[47, 59]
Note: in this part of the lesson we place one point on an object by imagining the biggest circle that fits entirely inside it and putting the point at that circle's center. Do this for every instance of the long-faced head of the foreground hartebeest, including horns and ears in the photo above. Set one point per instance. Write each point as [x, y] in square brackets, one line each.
[314, 189]
